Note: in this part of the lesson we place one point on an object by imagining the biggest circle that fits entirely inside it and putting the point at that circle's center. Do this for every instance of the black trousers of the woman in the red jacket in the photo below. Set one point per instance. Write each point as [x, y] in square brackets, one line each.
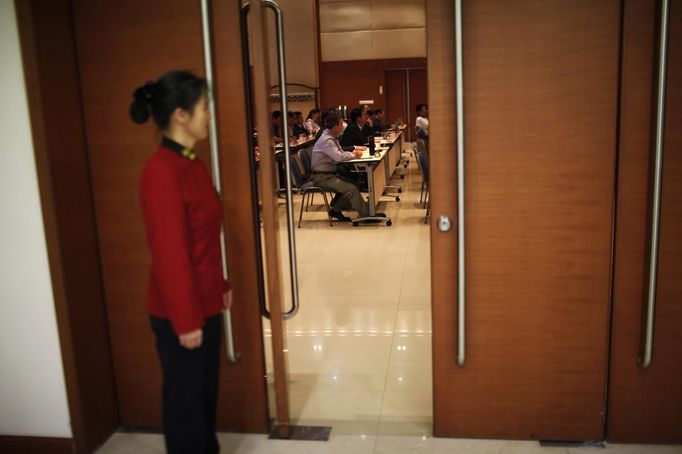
[190, 388]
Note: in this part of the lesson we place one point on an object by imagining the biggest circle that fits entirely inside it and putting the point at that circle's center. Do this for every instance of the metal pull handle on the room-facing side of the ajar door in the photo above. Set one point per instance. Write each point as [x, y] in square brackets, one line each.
[281, 67]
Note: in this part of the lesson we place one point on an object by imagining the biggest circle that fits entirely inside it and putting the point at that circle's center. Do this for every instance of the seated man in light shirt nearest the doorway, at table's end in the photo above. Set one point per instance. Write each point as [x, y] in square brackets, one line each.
[326, 154]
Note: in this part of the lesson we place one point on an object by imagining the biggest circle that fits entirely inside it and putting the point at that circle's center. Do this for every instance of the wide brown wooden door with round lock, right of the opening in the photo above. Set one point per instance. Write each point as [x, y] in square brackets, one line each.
[540, 116]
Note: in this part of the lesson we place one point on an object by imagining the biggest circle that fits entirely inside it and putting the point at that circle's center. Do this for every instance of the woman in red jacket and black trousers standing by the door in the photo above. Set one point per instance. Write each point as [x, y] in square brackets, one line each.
[186, 292]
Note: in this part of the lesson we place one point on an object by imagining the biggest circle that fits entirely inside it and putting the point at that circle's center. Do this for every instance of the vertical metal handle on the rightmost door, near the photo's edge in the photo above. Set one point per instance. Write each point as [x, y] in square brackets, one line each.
[648, 342]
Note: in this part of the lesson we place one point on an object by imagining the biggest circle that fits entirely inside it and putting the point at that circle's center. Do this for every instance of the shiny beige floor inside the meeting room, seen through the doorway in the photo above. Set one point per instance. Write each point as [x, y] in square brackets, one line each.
[359, 350]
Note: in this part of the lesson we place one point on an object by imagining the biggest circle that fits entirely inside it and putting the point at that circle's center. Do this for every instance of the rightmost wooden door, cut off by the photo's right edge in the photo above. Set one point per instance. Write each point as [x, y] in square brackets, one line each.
[645, 405]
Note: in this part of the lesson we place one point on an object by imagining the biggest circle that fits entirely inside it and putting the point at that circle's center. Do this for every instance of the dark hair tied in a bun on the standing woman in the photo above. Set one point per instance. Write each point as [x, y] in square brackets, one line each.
[175, 89]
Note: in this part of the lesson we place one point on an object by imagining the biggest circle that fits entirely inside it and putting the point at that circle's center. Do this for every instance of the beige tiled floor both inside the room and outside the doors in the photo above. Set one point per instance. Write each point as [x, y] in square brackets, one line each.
[359, 351]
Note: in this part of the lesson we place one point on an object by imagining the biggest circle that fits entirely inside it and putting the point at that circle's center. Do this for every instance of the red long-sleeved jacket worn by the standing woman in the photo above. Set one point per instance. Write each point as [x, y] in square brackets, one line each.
[182, 214]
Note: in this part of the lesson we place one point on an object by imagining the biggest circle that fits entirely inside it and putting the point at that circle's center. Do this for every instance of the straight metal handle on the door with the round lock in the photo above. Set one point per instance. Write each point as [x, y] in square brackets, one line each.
[461, 338]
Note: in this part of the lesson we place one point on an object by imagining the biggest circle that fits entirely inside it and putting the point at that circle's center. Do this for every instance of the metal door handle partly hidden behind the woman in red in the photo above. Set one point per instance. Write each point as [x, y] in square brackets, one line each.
[215, 168]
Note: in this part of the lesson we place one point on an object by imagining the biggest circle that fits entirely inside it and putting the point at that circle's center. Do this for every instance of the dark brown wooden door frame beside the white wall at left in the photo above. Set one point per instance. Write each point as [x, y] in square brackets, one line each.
[58, 130]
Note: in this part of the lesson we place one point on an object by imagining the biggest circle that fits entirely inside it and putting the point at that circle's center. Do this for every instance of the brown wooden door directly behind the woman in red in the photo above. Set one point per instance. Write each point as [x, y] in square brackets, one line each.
[122, 44]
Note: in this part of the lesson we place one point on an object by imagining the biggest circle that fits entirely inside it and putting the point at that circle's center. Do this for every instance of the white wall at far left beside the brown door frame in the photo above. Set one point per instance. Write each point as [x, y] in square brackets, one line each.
[32, 391]
